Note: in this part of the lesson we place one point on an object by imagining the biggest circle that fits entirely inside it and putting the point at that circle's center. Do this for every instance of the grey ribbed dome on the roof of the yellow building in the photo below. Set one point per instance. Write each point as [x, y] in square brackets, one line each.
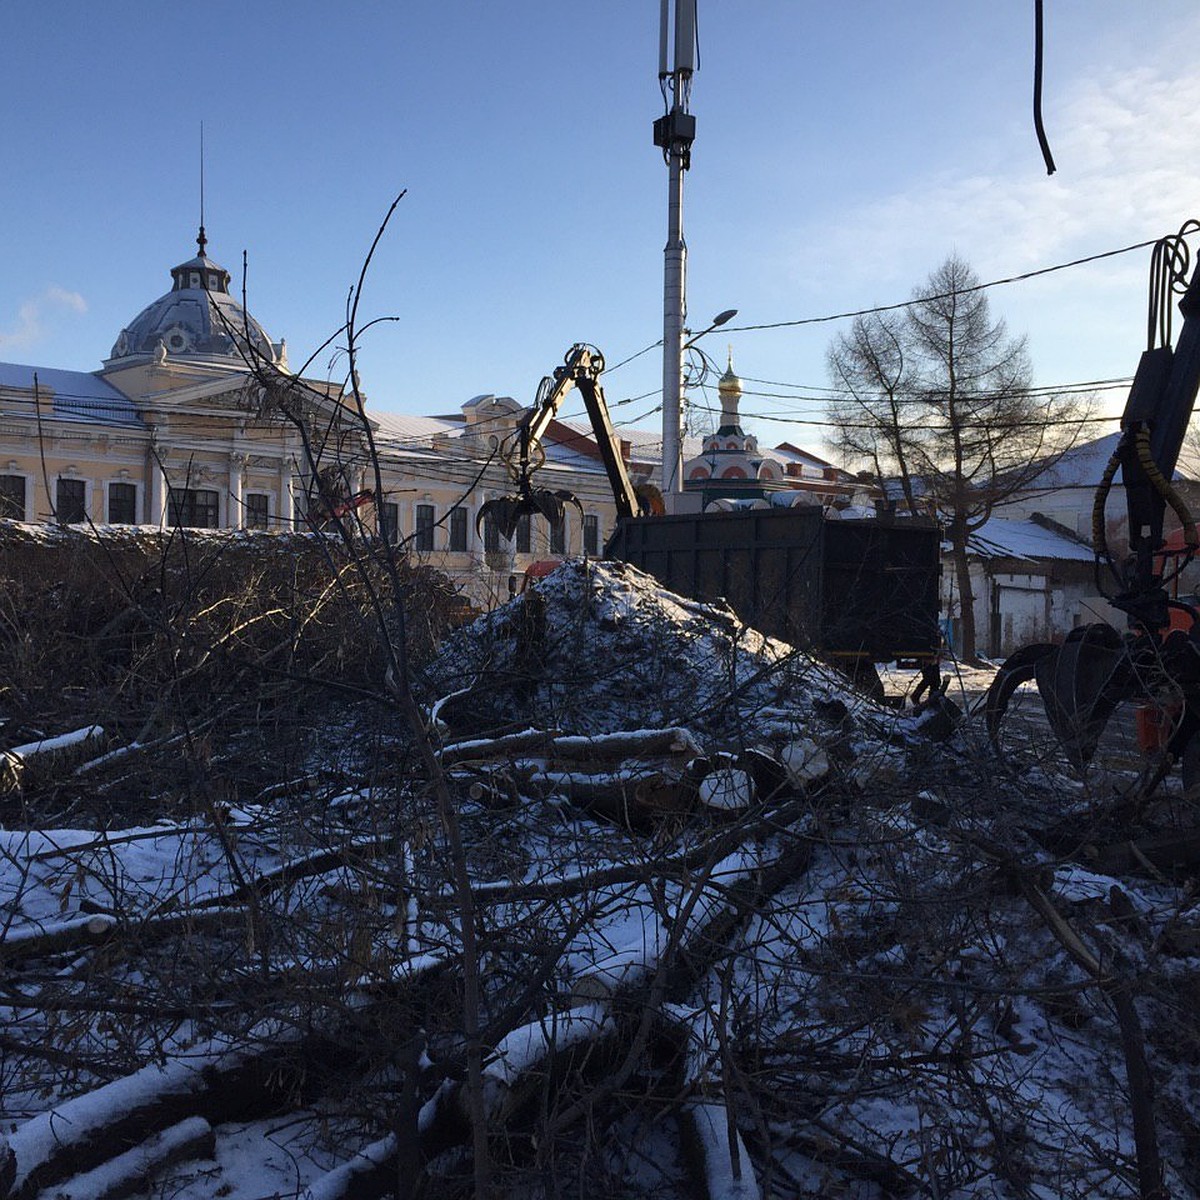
[196, 320]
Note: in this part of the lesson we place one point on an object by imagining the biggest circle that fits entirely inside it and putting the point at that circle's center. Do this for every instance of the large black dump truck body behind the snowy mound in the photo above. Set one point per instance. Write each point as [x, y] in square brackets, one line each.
[859, 589]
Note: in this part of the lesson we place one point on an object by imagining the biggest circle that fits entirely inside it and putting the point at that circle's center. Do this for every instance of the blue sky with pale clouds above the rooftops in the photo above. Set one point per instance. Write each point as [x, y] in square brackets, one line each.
[843, 152]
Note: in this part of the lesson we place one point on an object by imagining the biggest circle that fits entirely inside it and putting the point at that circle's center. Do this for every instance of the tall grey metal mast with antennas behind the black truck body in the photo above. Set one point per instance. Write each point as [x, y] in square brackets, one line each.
[674, 134]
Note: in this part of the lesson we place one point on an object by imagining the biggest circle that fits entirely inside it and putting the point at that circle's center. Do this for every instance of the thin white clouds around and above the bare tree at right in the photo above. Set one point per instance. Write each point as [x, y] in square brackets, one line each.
[1129, 157]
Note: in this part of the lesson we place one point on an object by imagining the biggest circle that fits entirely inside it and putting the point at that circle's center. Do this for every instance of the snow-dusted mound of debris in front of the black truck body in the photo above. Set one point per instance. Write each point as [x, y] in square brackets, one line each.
[597, 647]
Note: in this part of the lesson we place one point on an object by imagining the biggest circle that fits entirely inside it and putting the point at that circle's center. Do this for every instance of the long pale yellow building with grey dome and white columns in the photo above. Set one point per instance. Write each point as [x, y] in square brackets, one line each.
[195, 421]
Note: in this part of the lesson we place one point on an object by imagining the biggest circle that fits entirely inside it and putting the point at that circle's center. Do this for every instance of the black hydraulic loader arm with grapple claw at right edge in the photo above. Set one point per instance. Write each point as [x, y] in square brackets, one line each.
[1155, 664]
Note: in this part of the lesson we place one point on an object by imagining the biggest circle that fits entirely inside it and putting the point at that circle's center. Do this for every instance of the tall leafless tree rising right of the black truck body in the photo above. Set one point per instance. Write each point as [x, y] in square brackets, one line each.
[939, 399]
